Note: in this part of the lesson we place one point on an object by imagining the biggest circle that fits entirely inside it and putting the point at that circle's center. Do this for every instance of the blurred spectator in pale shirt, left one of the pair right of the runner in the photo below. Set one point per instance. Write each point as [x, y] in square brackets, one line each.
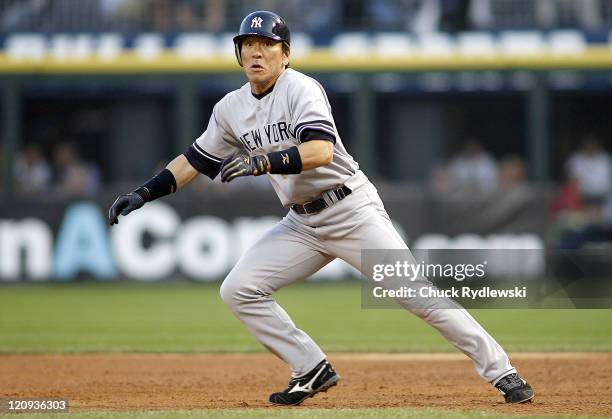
[473, 168]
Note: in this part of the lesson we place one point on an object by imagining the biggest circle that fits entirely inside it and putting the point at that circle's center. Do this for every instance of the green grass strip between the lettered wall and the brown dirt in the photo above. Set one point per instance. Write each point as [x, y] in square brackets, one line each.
[186, 317]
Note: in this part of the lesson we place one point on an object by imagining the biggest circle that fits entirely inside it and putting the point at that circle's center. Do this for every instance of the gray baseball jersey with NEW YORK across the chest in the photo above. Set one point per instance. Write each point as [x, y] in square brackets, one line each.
[294, 111]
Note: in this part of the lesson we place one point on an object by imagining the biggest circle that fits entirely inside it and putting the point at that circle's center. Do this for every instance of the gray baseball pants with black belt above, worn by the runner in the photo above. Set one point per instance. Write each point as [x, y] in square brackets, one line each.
[299, 246]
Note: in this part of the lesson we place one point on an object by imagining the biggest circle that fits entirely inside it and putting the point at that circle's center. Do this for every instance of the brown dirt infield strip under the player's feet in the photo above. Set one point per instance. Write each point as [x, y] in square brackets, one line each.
[564, 383]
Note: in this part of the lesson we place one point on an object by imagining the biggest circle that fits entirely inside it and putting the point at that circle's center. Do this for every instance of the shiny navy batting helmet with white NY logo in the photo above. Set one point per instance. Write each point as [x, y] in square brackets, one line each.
[262, 23]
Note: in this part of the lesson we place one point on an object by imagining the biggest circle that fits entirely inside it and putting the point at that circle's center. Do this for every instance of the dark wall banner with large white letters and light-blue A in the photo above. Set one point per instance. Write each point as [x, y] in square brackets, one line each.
[200, 234]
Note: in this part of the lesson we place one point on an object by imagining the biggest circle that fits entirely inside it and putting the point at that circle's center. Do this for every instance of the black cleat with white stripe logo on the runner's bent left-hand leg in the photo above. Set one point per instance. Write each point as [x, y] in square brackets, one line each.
[321, 378]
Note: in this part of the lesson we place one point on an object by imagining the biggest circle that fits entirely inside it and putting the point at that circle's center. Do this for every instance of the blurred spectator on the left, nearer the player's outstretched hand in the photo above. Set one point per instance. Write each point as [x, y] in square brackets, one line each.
[74, 176]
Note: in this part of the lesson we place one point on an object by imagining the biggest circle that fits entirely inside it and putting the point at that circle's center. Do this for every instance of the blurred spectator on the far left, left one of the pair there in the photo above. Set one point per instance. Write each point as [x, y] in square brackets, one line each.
[32, 172]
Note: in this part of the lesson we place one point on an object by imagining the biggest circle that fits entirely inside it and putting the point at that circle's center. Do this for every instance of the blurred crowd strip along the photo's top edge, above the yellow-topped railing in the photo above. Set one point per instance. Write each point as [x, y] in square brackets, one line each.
[317, 17]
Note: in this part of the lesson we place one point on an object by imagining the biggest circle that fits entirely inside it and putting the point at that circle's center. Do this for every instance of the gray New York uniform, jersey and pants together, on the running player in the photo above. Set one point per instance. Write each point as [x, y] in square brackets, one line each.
[296, 110]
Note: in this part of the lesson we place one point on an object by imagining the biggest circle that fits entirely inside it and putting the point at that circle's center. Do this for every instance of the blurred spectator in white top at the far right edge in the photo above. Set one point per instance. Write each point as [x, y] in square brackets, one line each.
[591, 168]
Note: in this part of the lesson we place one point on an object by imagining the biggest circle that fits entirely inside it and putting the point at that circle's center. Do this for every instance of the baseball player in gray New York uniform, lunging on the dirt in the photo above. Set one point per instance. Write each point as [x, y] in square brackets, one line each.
[280, 124]
